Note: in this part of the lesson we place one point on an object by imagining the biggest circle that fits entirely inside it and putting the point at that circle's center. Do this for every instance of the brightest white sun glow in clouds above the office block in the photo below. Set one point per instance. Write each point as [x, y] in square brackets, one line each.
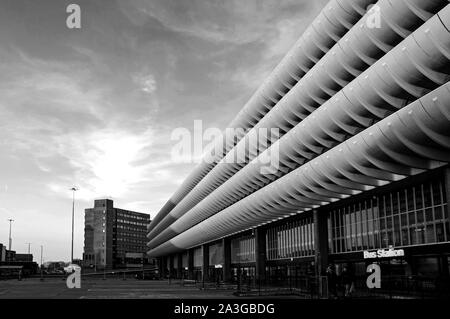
[109, 162]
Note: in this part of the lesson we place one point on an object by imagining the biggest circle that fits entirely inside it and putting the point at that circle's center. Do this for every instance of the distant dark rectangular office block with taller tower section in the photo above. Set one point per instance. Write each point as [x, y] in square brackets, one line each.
[114, 237]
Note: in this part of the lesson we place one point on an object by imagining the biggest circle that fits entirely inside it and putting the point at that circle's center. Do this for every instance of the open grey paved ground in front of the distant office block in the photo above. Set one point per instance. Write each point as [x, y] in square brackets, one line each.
[55, 288]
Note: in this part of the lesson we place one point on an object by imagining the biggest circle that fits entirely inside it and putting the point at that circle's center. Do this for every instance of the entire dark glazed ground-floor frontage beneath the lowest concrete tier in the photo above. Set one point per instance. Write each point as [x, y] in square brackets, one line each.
[412, 215]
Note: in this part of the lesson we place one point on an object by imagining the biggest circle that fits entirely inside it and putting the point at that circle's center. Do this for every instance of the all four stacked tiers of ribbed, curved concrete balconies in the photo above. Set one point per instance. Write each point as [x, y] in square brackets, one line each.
[358, 107]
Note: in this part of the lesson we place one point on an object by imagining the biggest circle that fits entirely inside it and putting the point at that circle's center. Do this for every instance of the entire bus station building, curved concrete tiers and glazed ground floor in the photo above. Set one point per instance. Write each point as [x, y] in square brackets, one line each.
[362, 104]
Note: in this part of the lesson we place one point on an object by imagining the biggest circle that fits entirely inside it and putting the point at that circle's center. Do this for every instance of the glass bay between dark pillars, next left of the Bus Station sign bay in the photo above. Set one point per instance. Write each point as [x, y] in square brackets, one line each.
[291, 240]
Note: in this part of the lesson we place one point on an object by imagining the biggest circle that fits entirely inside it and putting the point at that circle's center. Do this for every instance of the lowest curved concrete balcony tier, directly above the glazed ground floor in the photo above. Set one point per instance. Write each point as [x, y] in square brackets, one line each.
[412, 140]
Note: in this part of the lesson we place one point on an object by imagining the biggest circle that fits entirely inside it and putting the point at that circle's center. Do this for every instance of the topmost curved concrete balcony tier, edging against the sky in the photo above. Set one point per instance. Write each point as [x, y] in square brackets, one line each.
[331, 24]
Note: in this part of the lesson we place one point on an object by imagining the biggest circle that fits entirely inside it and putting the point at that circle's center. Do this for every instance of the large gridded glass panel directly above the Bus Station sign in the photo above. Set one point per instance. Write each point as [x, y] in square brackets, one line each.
[411, 216]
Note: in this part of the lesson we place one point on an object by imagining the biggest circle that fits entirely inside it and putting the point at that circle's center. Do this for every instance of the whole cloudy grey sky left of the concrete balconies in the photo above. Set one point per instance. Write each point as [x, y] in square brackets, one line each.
[95, 107]
